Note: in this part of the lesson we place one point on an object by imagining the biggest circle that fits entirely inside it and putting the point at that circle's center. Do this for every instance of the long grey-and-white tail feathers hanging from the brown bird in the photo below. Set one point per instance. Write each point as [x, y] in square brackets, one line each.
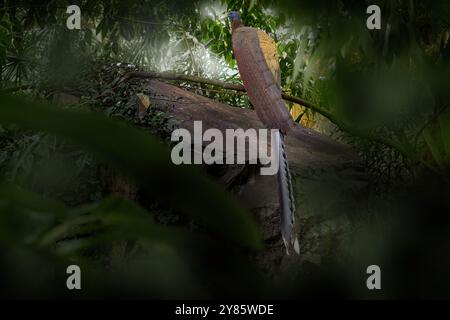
[288, 223]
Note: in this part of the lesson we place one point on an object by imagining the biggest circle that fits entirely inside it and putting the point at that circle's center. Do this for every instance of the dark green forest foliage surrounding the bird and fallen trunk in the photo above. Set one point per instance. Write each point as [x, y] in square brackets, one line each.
[384, 93]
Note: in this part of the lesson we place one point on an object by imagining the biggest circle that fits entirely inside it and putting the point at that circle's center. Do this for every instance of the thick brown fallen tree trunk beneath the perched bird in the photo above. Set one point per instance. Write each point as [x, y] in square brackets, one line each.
[328, 178]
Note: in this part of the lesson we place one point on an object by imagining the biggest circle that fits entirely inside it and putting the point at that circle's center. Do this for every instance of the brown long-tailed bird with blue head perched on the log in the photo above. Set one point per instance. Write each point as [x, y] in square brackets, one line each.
[257, 59]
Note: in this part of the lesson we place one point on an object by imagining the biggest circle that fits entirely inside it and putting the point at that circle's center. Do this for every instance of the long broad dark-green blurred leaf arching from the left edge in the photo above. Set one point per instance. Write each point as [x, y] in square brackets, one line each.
[142, 157]
